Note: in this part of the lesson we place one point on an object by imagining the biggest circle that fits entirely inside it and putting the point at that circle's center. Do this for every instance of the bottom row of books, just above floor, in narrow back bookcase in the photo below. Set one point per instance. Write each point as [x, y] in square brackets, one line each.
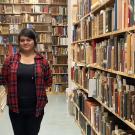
[58, 88]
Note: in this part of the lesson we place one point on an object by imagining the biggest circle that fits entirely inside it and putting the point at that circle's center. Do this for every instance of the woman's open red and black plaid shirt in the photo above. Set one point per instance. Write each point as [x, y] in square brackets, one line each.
[43, 79]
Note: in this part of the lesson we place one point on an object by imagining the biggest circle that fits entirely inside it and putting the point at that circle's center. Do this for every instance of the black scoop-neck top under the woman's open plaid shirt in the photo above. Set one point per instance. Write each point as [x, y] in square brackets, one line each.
[26, 87]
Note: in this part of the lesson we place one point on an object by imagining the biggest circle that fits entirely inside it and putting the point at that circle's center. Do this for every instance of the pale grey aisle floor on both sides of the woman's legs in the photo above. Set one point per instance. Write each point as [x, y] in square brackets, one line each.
[56, 120]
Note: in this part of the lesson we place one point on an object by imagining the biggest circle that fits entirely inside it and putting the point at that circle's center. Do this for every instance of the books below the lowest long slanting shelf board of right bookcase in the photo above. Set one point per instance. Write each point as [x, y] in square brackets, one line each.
[101, 120]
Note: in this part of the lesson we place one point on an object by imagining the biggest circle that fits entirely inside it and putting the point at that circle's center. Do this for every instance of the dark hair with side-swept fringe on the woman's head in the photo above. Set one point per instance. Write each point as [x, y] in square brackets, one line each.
[28, 33]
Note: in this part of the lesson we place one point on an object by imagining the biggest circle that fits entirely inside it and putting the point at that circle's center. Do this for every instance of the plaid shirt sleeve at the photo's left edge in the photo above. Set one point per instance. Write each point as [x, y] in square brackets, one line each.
[4, 72]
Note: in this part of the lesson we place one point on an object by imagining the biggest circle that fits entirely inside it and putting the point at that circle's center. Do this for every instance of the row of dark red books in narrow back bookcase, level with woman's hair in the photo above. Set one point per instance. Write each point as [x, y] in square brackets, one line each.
[59, 31]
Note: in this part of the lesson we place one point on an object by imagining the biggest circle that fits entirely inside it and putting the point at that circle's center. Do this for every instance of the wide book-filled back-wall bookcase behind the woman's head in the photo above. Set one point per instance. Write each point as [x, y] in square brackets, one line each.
[16, 14]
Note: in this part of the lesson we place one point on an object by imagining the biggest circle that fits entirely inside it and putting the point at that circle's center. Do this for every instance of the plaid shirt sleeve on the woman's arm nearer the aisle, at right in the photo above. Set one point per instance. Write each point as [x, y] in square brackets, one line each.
[47, 73]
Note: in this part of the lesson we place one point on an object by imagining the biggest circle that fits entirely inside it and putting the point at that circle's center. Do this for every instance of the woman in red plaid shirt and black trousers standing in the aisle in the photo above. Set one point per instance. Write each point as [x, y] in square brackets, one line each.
[26, 76]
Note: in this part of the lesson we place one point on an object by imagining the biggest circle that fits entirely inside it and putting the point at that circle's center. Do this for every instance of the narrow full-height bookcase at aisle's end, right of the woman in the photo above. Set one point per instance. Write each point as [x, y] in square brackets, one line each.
[59, 45]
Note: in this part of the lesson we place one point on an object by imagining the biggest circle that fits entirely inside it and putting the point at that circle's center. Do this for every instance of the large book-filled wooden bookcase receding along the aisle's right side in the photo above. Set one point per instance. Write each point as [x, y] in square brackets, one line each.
[102, 54]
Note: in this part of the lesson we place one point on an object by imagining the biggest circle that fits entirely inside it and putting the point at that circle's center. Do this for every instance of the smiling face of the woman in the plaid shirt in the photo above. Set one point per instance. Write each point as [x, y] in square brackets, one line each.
[26, 44]
